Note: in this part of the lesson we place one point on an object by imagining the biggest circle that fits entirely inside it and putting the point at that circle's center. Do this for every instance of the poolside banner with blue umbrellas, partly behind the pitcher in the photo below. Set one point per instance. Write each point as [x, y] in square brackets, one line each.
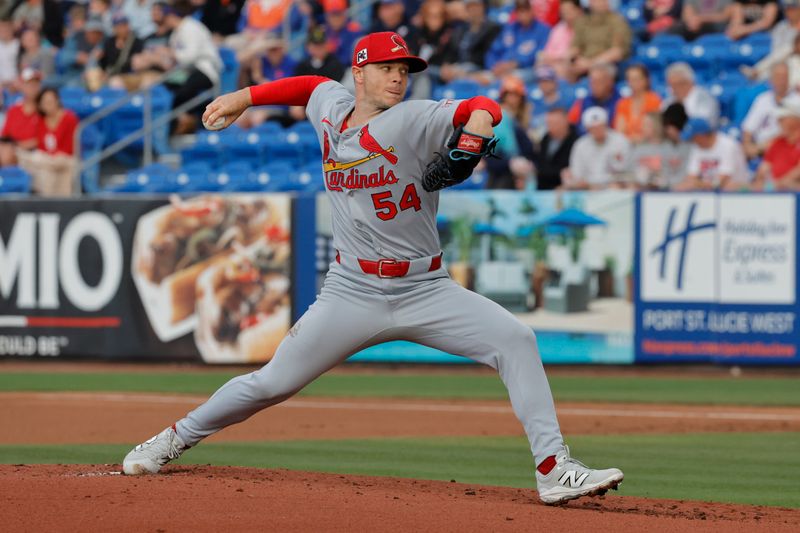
[560, 262]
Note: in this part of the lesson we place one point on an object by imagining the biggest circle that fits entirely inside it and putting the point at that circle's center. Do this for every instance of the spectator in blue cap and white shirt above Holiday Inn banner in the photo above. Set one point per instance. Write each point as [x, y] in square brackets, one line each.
[716, 161]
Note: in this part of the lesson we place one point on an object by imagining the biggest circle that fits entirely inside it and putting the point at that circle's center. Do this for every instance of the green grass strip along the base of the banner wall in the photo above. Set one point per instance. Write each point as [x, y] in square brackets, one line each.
[719, 391]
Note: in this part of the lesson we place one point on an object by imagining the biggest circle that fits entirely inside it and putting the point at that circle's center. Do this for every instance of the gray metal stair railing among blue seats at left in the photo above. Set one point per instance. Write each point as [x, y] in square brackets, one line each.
[146, 132]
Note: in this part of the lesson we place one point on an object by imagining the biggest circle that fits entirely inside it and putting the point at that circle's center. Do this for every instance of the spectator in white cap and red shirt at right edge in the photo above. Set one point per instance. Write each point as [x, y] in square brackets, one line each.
[780, 168]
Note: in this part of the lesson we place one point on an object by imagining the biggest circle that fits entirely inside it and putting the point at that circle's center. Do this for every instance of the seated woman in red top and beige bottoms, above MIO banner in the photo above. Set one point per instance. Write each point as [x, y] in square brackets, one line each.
[52, 165]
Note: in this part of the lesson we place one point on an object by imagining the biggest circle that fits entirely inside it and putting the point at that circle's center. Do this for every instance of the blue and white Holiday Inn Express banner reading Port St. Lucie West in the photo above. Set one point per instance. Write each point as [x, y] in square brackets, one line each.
[717, 278]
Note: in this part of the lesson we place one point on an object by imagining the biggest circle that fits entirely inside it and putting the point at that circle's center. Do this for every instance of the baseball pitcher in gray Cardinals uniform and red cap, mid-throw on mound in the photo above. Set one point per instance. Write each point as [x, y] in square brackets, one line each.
[384, 162]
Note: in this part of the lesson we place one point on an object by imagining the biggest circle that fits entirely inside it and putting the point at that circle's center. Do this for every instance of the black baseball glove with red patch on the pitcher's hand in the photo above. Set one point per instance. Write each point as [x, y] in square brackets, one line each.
[464, 151]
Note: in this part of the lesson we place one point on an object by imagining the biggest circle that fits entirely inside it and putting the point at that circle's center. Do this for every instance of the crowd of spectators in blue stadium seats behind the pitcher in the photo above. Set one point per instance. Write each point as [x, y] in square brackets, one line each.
[596, 93]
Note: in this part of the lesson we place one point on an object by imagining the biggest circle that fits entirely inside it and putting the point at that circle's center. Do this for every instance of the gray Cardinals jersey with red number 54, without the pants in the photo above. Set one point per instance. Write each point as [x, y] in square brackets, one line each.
[372, 173]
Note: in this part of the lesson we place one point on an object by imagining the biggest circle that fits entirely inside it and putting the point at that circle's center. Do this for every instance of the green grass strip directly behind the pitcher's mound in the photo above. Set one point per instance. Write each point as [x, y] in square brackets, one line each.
[745, 468]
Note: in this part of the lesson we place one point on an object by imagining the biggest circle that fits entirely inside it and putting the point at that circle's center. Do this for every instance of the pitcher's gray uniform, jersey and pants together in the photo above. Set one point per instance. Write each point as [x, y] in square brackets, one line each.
[380, 210]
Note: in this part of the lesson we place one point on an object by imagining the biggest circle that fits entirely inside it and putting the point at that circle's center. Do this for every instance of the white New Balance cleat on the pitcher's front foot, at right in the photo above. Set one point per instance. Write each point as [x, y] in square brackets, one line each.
[571, 479]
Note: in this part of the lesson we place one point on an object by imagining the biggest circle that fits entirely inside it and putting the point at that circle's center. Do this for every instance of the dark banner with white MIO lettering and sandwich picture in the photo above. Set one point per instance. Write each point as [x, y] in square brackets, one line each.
[153, 278]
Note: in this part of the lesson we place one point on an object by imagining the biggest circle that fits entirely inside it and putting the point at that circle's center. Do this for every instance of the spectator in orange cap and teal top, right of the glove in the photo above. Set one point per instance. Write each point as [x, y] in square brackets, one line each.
[514, 168]
